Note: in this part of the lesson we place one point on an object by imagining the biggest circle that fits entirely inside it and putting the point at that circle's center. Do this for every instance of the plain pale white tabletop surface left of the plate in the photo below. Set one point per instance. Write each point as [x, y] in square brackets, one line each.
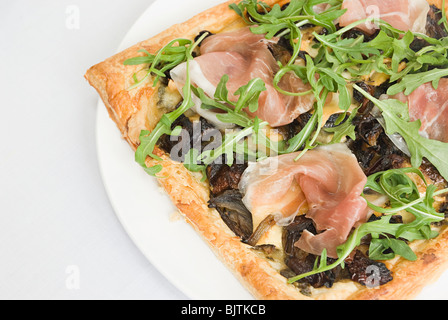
[56, 220]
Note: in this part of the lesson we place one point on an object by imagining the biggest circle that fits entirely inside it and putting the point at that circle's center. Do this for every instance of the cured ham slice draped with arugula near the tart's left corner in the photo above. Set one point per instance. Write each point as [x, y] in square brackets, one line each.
[244, 56]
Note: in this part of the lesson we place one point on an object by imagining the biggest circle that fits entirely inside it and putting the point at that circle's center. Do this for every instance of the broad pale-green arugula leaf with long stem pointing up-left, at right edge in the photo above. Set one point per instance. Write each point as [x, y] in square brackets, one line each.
[396, 116]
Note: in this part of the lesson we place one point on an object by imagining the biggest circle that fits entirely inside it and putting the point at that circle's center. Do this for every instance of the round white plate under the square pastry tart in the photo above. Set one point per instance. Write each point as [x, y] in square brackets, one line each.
[173, 247]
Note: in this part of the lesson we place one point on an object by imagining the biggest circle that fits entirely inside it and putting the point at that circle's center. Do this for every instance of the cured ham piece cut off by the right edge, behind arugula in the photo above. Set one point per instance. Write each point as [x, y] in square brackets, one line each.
[430, 106]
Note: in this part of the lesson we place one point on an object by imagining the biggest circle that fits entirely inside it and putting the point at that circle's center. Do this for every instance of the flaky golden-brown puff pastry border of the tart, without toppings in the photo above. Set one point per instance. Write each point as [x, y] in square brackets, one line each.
[136, 110]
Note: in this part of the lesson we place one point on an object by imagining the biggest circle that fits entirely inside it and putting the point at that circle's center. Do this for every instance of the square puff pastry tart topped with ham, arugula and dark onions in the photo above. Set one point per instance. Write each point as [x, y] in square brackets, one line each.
[306, 141]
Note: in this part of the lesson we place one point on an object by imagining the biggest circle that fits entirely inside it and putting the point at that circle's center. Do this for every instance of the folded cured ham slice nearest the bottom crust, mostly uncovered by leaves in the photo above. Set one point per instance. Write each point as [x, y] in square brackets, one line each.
[327, 182]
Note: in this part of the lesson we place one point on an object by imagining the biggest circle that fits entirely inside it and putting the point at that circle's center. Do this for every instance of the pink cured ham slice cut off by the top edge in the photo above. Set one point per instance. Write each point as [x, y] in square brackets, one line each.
[401, 14]
